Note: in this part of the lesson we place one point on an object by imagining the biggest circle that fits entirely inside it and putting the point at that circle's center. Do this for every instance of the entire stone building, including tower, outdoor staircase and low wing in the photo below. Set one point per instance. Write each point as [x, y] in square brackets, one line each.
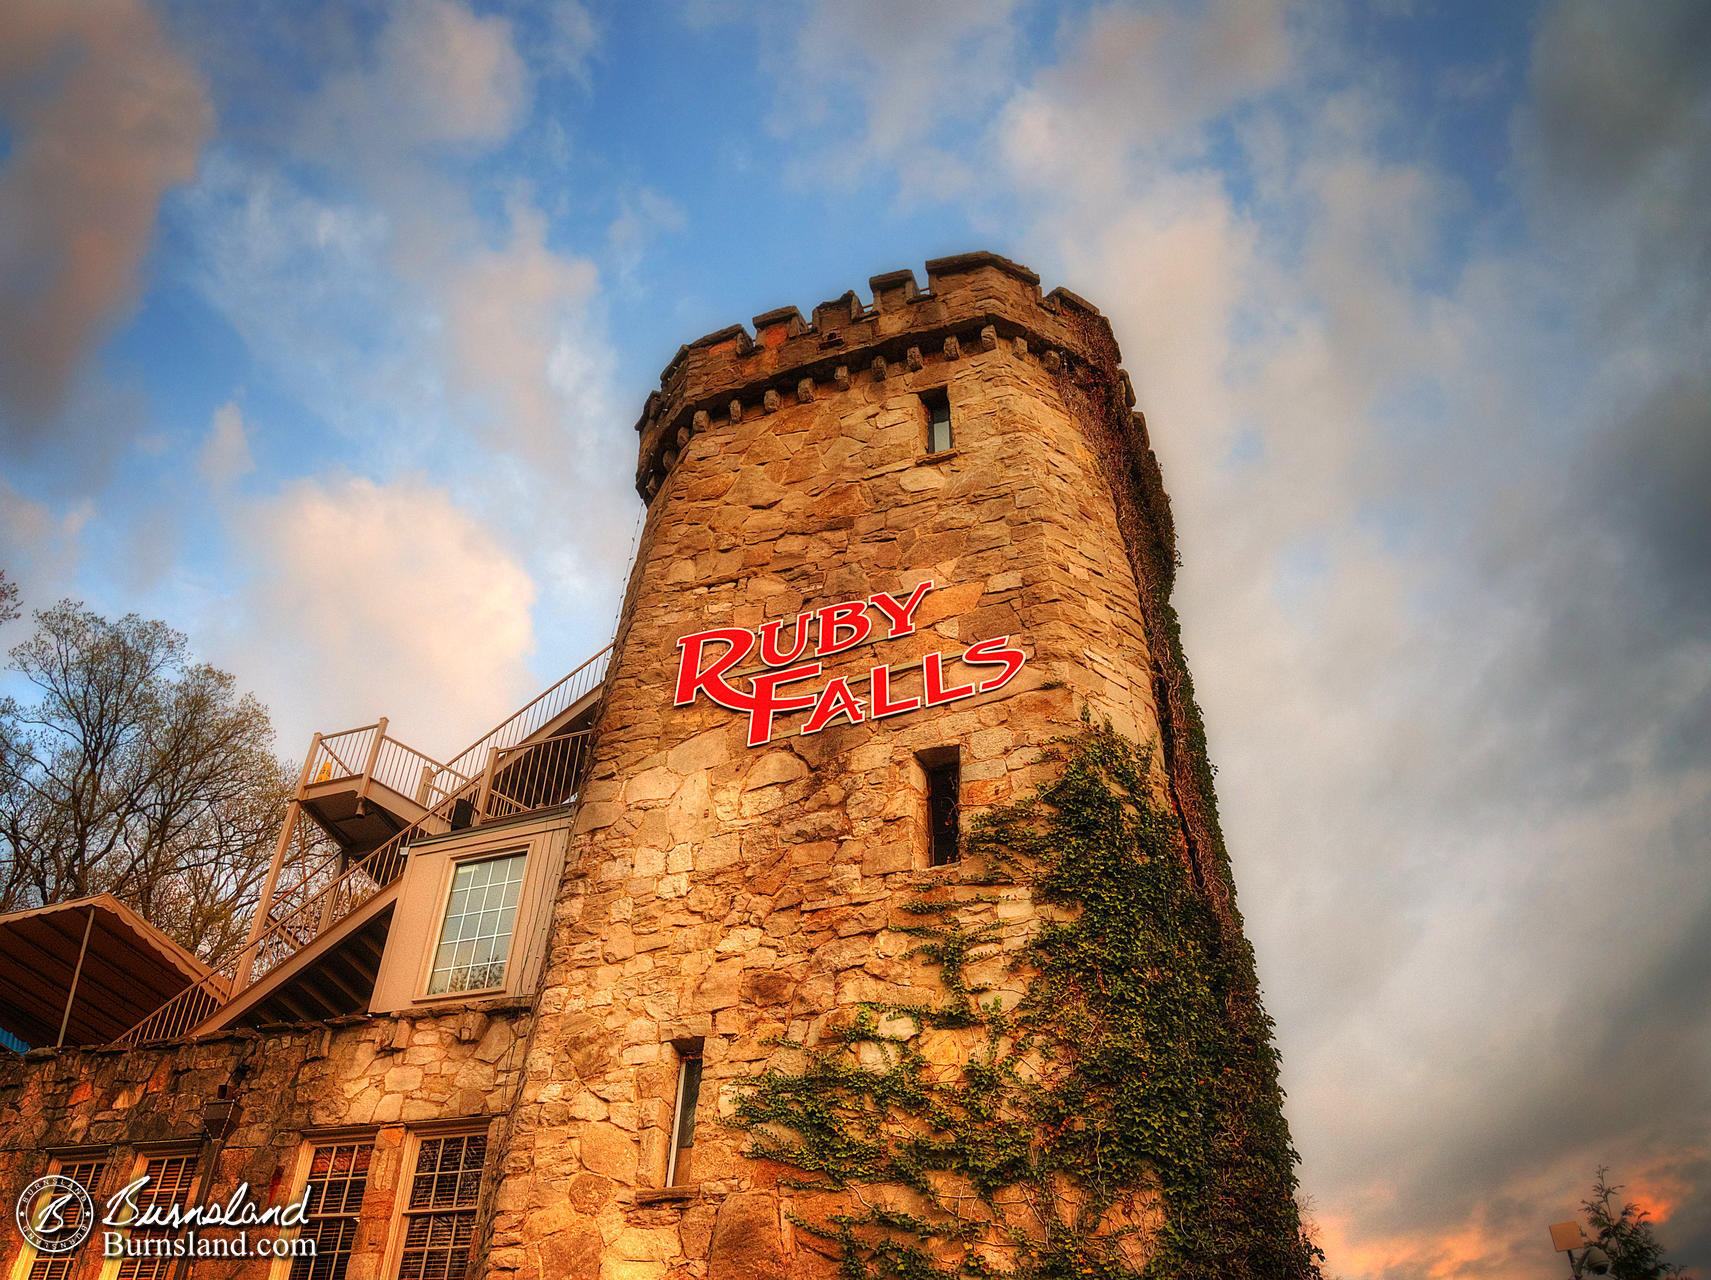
[863, 911]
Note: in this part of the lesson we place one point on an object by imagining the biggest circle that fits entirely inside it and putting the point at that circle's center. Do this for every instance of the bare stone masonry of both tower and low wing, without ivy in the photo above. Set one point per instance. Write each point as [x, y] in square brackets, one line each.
[719, 896]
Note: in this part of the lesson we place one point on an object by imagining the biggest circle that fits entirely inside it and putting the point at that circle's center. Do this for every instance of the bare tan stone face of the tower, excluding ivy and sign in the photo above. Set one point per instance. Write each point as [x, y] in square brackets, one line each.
[730, 894]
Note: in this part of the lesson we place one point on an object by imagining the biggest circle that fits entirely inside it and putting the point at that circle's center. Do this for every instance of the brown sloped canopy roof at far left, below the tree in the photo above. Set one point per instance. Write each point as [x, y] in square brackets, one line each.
[129, 969]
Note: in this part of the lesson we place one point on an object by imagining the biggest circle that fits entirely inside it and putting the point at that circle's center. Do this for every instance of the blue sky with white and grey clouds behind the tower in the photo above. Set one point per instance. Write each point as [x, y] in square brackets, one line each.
[324, 329]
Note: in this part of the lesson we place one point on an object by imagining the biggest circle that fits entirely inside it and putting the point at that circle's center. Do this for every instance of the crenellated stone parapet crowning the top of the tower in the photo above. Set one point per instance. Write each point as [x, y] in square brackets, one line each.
[974, 302]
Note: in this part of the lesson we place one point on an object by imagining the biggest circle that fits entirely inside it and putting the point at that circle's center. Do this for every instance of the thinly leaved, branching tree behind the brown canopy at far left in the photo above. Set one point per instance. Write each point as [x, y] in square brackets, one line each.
[134, 771]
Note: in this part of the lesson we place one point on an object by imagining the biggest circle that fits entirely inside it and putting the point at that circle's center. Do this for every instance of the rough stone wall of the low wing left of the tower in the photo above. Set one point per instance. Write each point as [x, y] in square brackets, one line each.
[386, 1074]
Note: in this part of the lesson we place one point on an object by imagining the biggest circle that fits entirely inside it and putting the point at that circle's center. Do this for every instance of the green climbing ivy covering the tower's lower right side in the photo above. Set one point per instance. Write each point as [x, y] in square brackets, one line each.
[1092, 1094]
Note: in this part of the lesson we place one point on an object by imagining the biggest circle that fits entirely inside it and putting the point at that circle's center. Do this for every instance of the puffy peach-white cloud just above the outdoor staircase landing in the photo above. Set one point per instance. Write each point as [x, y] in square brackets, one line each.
[381, 600]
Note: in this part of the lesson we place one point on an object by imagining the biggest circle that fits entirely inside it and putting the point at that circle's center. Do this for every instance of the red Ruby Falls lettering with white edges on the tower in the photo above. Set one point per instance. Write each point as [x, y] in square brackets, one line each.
[819, 634]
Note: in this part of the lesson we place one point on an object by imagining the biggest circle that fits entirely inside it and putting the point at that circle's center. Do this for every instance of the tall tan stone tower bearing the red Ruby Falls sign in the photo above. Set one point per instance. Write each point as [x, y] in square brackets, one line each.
[891, 555]
